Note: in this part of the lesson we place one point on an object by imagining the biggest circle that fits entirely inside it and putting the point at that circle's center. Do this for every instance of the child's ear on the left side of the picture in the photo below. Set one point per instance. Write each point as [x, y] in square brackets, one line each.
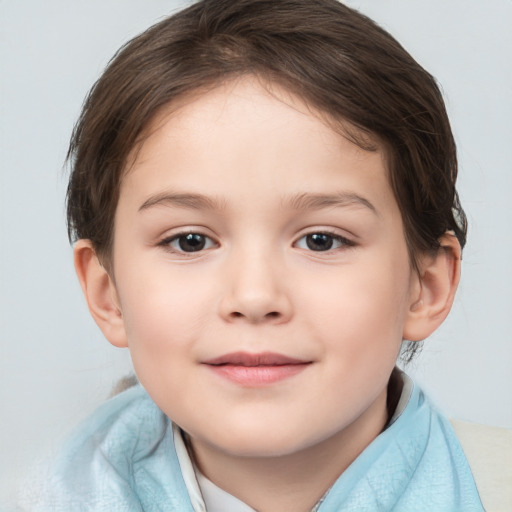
[100, 293]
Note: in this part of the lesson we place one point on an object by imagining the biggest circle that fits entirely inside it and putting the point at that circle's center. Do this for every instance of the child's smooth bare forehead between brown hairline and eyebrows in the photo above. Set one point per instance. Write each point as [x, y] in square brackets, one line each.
[248, 134]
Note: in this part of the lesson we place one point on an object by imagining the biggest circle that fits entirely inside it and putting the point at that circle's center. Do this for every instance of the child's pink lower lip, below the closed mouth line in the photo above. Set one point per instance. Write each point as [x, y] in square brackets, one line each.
[255, 376]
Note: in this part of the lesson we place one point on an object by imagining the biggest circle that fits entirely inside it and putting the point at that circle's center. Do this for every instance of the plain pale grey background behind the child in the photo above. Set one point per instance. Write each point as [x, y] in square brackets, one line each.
[55, 367]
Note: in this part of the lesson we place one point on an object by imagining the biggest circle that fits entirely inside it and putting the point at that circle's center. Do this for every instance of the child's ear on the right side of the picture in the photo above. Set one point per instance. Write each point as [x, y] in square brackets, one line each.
[433, 290]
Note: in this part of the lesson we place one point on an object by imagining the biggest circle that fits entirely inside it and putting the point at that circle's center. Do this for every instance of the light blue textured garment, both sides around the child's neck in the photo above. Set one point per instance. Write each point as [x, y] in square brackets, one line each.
[123, 459]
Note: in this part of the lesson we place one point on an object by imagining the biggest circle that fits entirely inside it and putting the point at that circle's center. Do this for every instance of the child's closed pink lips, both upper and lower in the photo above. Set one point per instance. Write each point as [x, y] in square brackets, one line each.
[255, 370]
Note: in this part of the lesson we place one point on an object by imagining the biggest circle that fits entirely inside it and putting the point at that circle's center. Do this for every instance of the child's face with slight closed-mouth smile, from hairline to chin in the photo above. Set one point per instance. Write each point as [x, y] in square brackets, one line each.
[247, 227]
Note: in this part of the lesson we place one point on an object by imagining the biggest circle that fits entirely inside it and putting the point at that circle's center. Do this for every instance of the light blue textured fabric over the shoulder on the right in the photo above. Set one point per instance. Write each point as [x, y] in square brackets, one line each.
[415, 465]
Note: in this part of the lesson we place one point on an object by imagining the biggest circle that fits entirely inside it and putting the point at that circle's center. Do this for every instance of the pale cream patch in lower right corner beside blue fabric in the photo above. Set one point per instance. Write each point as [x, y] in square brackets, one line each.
[489, 453]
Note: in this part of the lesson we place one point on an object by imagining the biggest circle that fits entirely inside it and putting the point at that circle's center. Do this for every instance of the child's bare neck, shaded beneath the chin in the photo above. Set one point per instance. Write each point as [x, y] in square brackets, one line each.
[293, 482]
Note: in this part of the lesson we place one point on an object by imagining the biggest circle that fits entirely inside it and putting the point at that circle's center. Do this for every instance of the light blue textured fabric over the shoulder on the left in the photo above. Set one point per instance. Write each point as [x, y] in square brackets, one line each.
[122, 459]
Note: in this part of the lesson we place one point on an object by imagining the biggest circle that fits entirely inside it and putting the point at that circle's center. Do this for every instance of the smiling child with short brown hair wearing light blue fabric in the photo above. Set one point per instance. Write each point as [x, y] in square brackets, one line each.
[264, 207]
